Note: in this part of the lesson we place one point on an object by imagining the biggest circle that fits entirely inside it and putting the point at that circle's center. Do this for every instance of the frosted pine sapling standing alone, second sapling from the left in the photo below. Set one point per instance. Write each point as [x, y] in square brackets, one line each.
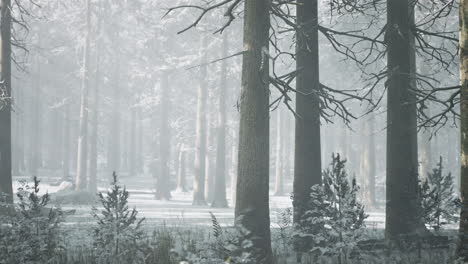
[118, 236]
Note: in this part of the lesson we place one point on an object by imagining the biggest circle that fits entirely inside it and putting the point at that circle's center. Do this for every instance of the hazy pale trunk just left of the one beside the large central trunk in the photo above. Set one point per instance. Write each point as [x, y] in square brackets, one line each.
[200, 141]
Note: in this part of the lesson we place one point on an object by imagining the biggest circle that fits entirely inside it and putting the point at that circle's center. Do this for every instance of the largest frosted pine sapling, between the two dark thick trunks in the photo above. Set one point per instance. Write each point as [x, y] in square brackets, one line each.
[334, 219]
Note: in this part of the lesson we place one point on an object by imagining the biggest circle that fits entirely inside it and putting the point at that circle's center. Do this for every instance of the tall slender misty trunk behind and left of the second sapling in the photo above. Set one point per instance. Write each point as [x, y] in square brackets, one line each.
[82, 156]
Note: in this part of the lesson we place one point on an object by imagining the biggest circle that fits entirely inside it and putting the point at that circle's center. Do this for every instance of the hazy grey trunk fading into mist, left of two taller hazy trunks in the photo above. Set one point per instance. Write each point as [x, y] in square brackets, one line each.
[163, 191]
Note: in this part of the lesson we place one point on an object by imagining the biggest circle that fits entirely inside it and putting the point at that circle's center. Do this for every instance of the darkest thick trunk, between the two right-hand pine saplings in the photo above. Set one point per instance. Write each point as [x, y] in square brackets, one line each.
[402, 154]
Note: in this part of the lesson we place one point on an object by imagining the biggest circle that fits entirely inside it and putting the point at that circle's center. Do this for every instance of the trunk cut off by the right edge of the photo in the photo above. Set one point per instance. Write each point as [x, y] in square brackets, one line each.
[463, 241]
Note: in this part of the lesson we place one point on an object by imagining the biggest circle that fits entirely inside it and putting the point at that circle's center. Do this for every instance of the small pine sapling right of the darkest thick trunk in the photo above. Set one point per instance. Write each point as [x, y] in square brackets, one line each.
[439, 205]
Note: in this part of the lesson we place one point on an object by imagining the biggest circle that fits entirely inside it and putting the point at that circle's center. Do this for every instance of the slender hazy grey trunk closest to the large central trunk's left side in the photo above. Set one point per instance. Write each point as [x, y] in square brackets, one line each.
[219, 199]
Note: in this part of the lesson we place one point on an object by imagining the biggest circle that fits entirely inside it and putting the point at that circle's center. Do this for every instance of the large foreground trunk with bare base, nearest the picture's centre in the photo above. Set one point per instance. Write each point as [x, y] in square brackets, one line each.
[252, 208]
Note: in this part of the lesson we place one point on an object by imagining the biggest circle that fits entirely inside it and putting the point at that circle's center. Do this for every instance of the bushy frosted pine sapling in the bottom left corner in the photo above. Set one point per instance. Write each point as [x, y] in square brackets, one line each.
[31, 234]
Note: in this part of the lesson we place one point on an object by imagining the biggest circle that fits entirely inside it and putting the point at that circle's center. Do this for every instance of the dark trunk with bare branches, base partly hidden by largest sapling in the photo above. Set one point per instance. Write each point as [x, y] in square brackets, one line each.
[307, 165]
